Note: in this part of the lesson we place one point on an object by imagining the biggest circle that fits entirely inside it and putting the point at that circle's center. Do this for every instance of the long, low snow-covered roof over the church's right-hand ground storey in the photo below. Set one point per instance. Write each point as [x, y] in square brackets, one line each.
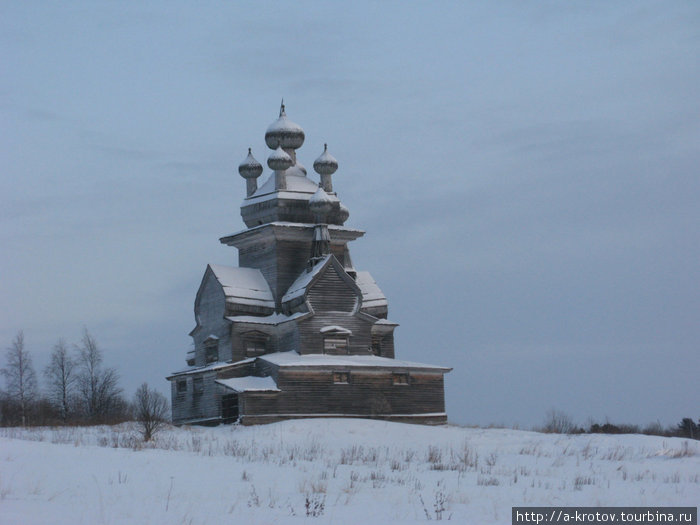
[293, 359]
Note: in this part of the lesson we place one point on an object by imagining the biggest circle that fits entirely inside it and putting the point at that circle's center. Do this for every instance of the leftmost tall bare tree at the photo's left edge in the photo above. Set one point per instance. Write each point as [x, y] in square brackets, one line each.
[20, 379]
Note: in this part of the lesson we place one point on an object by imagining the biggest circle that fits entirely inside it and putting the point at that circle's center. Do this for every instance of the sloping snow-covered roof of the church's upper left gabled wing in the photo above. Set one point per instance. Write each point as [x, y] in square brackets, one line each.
[244, 285]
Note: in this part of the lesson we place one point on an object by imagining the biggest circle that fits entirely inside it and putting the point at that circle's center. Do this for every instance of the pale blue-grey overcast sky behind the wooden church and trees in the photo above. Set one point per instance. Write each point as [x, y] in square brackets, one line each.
[527, 174]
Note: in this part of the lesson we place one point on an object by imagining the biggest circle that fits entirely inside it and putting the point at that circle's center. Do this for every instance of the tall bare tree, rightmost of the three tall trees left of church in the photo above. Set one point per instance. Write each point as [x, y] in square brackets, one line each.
[98, 388]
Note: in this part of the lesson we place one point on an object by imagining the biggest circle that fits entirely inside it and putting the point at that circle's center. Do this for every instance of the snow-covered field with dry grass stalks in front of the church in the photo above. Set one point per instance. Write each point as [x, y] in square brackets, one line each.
[330, 471]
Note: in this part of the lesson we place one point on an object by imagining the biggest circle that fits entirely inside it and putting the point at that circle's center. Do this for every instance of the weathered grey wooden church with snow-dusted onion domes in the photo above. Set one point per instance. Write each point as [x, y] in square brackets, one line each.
[295, 331]
